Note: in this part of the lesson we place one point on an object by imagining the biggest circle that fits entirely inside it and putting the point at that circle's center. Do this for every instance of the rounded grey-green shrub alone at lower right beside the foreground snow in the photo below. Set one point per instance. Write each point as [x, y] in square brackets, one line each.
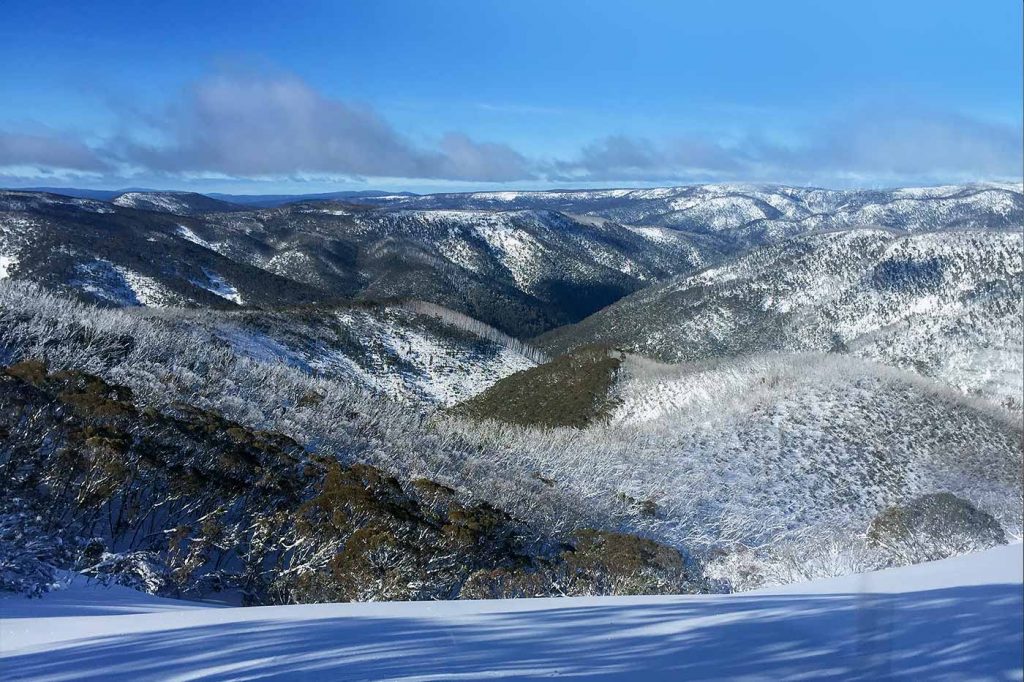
[933, 527]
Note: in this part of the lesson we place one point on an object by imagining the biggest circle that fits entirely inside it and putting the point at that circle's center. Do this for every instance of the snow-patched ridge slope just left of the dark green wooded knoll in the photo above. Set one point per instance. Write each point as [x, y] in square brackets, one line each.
[436, 359]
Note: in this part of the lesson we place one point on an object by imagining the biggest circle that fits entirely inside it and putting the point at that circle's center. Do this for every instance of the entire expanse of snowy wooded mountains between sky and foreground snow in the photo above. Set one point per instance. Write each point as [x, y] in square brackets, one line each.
[718, 380]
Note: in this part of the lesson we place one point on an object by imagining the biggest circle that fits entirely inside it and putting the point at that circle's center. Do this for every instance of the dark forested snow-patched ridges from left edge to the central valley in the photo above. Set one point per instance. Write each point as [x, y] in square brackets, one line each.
[522, 272]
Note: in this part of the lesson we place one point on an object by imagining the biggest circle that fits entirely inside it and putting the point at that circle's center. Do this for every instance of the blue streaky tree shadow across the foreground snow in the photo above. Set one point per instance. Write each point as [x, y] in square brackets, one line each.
[966, 632]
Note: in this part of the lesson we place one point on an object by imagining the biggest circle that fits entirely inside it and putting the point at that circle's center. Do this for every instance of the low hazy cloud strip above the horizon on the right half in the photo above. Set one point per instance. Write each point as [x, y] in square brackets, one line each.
[876, 147]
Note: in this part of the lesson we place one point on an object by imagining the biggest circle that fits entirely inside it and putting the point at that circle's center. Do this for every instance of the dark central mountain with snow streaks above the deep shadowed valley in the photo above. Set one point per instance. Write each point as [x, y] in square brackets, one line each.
[519, 271]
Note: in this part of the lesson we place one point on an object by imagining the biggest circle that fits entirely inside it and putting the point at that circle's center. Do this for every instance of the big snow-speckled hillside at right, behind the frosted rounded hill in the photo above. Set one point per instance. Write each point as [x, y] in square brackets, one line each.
[947, 305]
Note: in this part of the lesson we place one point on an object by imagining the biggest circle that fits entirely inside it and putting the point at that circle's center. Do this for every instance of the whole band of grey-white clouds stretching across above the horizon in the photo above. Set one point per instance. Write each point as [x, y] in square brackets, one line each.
[278, 126]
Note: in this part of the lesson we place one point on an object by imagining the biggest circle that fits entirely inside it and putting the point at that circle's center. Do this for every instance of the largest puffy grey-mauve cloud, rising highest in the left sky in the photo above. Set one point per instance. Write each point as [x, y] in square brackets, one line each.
[261, 125]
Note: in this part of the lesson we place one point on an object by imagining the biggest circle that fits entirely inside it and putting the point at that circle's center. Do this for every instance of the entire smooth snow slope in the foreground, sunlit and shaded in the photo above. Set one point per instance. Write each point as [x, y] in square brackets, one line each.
[958, 619]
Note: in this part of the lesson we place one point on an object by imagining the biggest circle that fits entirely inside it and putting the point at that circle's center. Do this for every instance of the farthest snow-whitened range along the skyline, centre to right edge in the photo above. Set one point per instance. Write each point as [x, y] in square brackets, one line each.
[762, 212]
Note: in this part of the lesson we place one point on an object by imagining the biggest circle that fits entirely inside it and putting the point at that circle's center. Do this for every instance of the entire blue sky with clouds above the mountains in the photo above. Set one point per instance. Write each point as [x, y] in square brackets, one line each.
[314, 97]
